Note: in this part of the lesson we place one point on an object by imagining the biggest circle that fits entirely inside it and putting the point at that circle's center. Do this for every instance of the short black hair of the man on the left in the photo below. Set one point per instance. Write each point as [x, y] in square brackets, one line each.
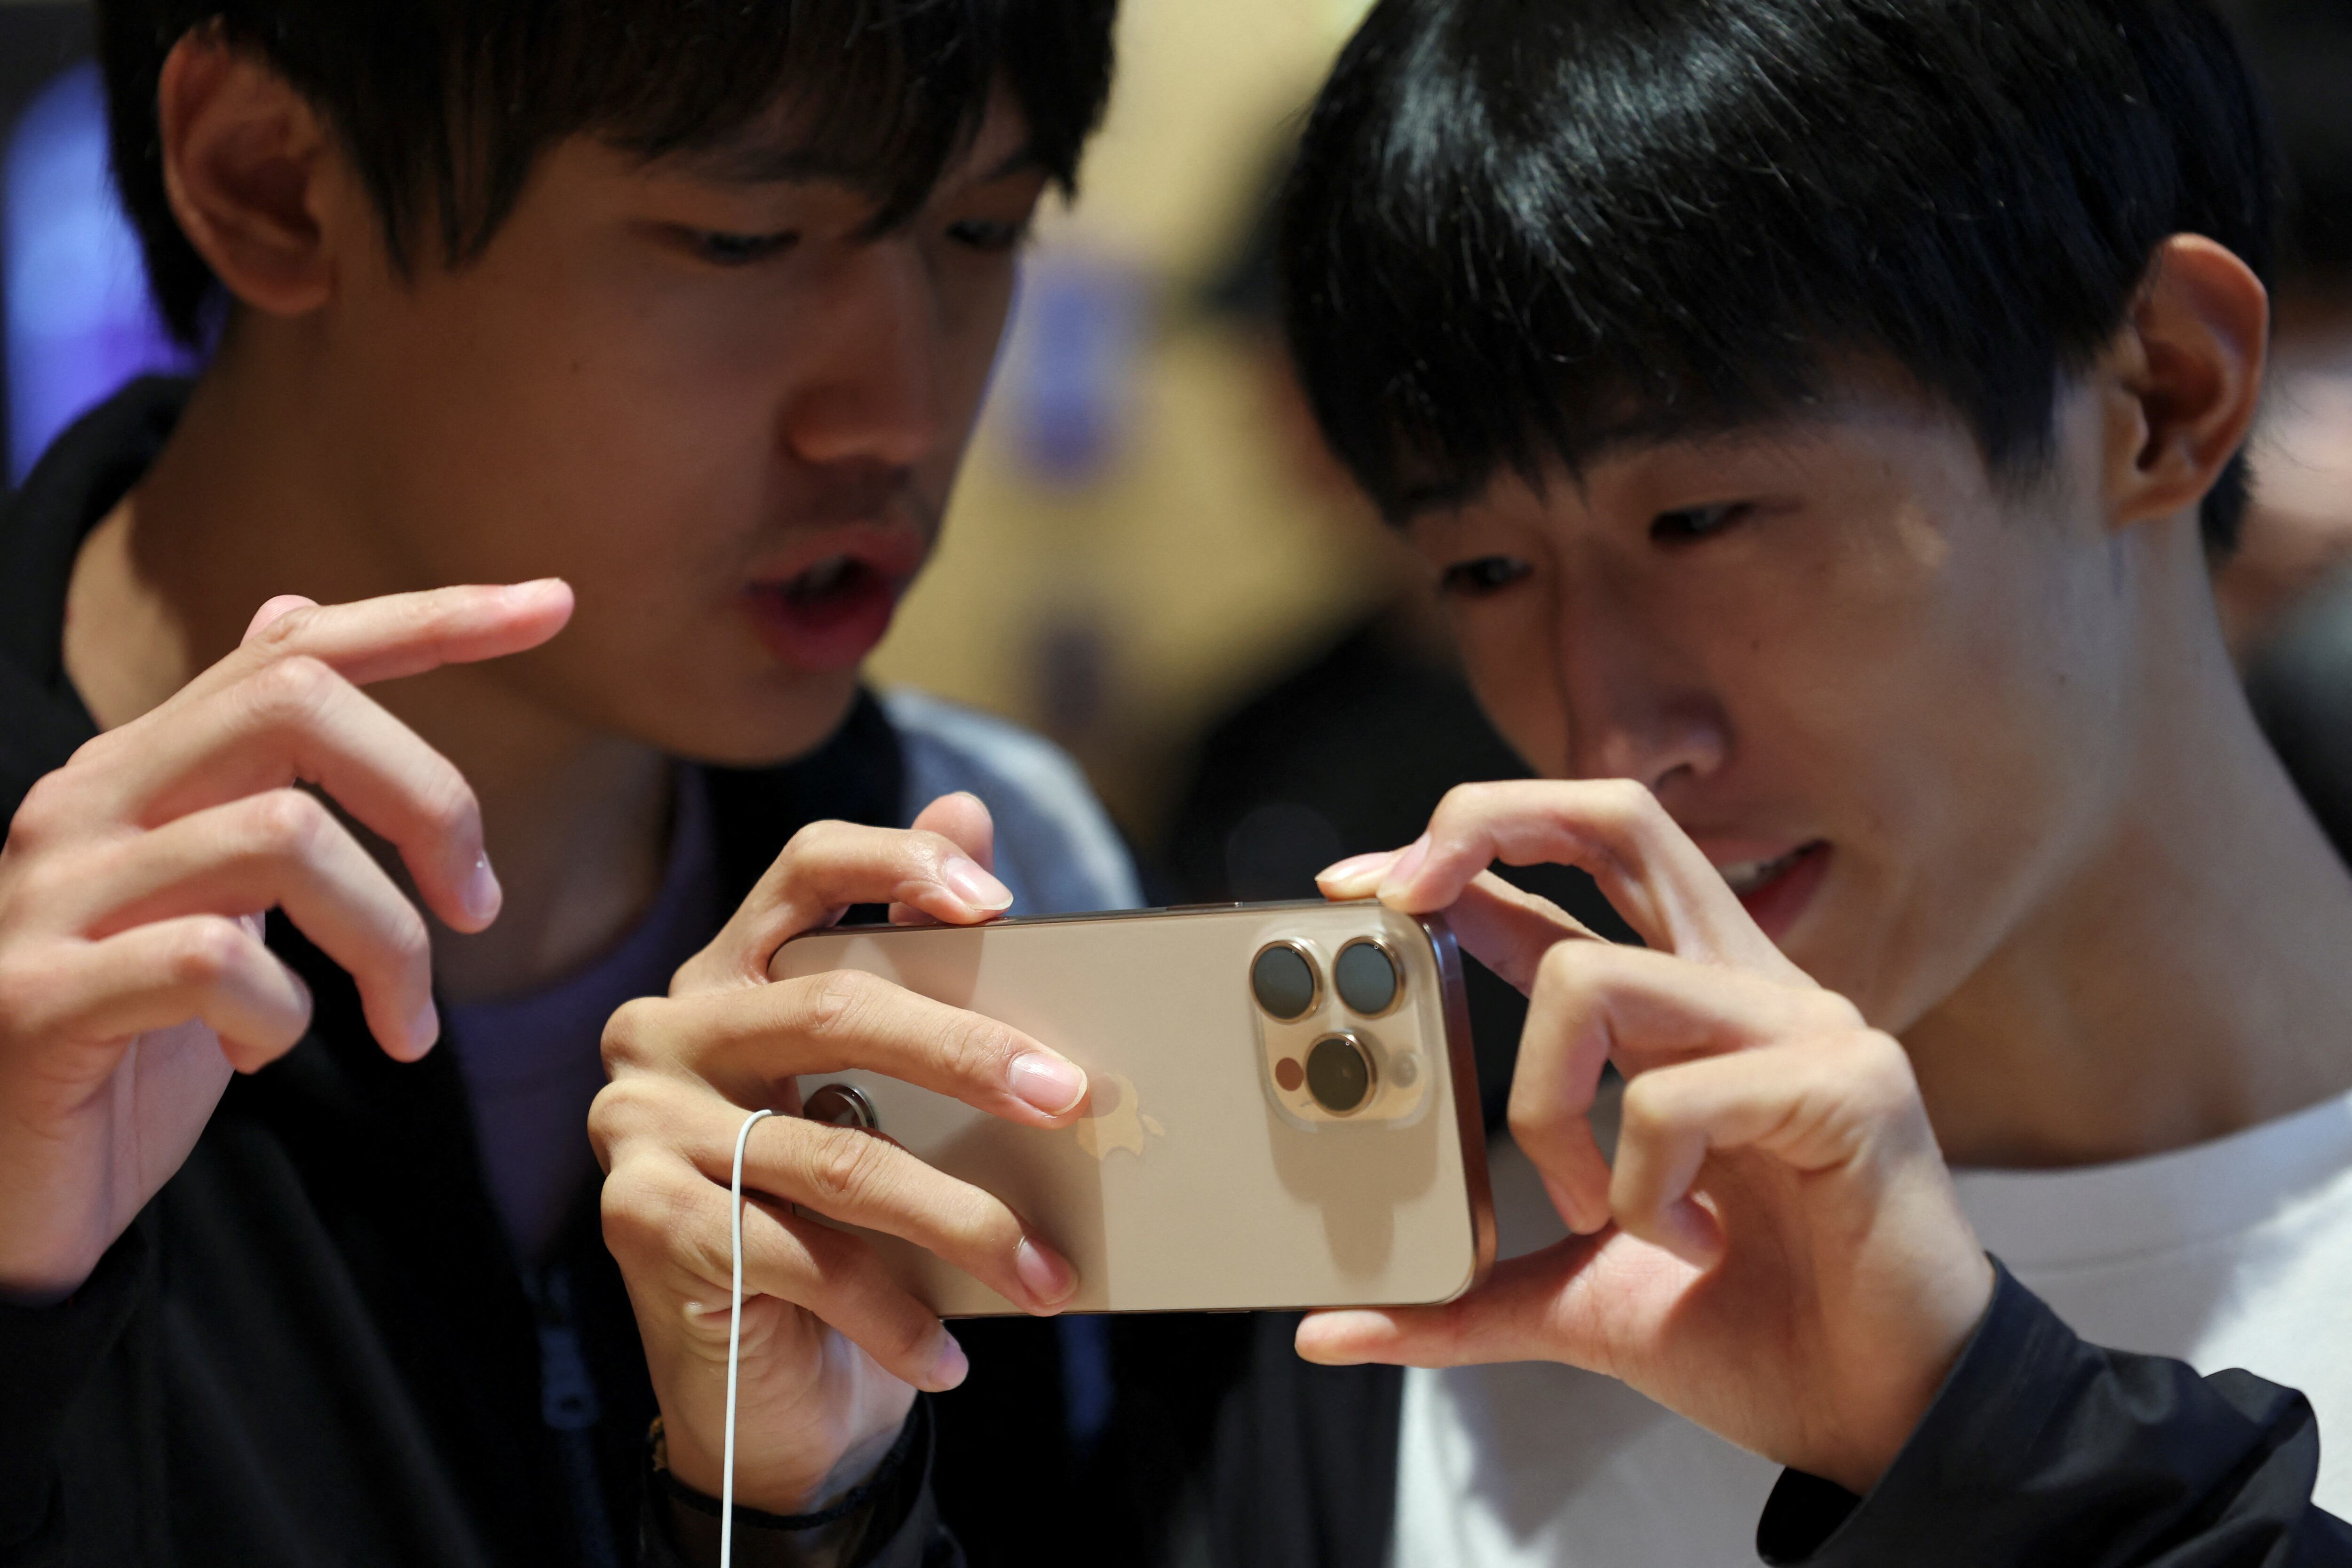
[448, 105]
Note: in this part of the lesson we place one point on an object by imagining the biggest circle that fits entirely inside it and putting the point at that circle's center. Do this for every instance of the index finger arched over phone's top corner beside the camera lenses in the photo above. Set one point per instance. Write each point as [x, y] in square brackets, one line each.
[1612, 829]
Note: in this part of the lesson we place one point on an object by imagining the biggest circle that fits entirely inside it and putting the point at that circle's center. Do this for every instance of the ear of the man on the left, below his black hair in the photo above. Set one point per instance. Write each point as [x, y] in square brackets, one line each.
[246, 159]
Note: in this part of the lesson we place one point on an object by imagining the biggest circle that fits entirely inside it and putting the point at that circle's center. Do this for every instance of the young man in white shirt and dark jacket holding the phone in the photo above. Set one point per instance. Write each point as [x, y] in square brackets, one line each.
[1824, 417]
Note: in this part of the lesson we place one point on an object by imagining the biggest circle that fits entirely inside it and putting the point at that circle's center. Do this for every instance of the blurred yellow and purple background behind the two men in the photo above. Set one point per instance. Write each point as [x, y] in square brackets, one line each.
[1149, 558]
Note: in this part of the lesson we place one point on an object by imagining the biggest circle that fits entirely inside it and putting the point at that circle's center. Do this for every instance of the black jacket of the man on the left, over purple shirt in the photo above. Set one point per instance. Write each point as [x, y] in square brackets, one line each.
[316, 1343]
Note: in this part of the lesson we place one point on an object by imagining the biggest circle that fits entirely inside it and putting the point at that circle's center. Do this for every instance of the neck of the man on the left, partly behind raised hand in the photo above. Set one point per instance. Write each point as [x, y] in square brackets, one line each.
[253, 502]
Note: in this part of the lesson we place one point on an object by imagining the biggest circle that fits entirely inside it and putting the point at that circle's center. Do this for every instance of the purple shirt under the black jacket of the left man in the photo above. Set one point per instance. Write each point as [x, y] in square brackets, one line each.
[533, 1061]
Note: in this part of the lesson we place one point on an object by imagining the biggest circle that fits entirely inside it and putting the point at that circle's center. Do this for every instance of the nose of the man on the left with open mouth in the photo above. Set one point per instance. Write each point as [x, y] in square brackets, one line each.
[871, 387]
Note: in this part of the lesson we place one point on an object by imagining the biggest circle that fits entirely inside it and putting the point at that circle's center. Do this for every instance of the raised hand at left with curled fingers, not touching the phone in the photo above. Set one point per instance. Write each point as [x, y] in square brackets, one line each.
[133, 974]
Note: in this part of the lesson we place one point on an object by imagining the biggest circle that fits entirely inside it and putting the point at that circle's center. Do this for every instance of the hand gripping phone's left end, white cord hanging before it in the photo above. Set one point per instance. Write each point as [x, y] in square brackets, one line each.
[834, 1351]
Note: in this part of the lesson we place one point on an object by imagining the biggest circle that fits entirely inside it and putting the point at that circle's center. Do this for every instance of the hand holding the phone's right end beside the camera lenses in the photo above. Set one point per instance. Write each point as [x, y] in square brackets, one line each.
[1777, 1254]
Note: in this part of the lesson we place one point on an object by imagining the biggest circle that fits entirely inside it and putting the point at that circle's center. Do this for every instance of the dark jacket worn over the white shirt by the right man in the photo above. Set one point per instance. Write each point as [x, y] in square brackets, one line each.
[2038, 1452]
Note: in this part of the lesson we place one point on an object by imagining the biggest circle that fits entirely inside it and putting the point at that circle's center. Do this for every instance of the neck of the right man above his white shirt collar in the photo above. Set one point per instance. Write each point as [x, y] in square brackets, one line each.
[2189, 977]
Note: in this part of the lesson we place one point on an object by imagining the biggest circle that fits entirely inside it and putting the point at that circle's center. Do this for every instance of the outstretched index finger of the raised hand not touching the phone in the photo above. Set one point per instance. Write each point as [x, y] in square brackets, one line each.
[403, 634]
